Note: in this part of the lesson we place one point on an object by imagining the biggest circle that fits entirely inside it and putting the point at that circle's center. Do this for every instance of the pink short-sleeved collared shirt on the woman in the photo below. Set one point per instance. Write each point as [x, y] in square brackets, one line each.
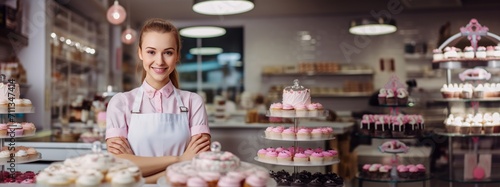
[154, 101]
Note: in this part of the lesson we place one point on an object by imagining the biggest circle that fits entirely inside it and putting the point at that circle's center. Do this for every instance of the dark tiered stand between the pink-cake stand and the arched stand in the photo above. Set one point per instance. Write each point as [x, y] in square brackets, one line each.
[394, 179]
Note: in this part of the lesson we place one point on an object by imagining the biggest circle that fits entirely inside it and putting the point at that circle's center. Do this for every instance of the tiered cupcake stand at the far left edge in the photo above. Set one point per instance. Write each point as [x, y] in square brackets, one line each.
[11, 138]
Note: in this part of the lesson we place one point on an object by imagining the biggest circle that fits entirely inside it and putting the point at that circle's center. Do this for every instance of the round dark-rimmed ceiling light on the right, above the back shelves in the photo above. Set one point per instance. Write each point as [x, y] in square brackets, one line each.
[372, 26]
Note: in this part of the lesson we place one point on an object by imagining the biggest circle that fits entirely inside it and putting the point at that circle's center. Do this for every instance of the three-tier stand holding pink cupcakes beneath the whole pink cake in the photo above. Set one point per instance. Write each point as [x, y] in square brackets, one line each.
[296, 119]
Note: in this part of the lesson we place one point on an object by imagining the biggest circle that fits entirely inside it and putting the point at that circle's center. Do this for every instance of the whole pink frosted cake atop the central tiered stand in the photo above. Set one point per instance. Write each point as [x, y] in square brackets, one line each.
[296, 95]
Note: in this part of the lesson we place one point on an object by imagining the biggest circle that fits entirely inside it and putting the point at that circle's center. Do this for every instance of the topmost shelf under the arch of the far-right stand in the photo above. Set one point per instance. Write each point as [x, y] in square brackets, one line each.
[466, 63]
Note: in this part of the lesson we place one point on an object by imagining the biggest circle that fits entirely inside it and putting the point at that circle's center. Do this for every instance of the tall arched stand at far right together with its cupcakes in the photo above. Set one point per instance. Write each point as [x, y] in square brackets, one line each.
[477, 166]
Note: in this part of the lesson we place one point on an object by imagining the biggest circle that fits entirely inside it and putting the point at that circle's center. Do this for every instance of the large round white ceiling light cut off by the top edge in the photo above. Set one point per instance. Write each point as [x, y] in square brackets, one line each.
[222, 7]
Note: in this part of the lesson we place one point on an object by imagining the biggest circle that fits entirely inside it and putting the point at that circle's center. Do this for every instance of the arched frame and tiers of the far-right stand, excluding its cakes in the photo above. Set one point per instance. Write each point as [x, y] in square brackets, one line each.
[474, 32]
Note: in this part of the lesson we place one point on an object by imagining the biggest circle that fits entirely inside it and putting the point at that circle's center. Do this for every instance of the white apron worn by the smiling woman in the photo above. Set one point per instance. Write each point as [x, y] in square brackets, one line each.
[158, 134]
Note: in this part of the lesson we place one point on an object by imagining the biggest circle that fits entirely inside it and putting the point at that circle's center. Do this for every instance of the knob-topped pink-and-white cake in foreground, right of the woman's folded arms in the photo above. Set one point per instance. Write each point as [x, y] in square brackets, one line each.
[215, 160]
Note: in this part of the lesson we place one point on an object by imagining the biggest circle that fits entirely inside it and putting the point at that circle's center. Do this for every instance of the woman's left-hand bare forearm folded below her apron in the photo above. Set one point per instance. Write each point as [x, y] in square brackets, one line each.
[150, 165]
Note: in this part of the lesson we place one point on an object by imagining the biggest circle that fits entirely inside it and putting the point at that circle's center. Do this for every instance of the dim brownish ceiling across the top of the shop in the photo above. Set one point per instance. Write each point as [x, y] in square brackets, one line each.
[140, 10]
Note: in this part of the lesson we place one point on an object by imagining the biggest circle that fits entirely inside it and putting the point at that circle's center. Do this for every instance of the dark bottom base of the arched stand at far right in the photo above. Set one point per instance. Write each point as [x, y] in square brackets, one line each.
[458, 177]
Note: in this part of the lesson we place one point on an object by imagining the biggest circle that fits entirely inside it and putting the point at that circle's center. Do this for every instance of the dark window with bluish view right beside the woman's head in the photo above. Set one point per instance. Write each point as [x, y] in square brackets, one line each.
[221, 66]
